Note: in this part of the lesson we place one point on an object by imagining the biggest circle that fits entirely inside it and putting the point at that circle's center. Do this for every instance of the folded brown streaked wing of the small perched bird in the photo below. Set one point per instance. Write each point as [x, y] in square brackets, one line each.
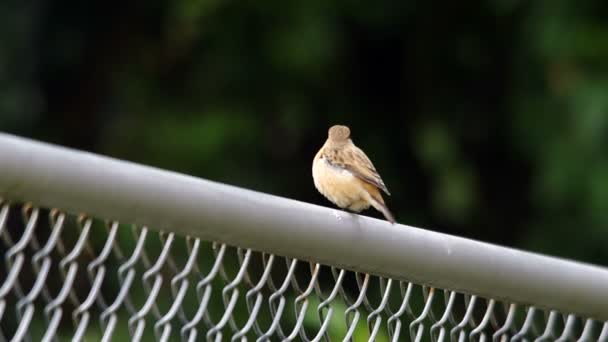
[354, 160]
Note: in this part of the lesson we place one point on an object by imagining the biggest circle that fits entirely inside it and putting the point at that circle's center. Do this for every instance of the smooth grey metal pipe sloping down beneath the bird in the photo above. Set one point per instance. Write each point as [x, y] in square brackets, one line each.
[80, 182]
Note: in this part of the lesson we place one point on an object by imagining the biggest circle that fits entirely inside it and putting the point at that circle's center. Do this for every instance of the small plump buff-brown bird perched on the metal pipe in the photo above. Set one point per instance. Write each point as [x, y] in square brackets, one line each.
[345, 175]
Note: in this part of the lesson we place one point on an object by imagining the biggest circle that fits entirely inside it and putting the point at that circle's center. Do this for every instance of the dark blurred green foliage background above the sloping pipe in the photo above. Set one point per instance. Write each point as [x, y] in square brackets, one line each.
[486, 119]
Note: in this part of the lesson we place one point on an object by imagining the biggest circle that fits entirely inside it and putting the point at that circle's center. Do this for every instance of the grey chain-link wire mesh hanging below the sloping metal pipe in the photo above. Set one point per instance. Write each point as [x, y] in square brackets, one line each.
[67, 276]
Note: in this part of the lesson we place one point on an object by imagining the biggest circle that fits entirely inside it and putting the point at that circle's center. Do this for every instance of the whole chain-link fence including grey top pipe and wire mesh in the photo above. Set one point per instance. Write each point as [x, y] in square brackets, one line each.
[80, 261]
